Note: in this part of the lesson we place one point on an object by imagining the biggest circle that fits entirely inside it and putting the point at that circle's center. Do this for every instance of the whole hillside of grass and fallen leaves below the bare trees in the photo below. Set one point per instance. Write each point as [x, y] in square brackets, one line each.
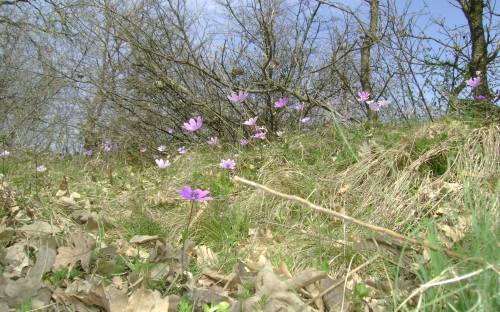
[103, 231]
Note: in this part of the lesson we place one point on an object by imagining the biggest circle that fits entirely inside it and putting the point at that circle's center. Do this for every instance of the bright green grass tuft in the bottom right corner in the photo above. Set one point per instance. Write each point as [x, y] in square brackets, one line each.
[480, 251]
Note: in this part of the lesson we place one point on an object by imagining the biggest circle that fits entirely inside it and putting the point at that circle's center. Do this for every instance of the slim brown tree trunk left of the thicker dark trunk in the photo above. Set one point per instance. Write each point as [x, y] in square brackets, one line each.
[369, 37]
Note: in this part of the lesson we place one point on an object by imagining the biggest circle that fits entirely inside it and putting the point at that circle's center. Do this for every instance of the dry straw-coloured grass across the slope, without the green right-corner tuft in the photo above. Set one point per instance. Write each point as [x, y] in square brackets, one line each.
[395, 183]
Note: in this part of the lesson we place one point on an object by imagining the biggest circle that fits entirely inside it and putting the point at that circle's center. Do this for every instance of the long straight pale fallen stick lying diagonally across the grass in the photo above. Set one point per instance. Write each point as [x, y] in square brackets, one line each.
[338, 215]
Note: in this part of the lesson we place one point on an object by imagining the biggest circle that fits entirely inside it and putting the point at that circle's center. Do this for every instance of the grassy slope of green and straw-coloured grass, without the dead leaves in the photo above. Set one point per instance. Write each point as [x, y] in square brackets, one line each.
[419, 179]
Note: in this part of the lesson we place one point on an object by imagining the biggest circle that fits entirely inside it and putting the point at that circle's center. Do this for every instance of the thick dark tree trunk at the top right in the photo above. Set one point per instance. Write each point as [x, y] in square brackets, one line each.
[473, 11]
